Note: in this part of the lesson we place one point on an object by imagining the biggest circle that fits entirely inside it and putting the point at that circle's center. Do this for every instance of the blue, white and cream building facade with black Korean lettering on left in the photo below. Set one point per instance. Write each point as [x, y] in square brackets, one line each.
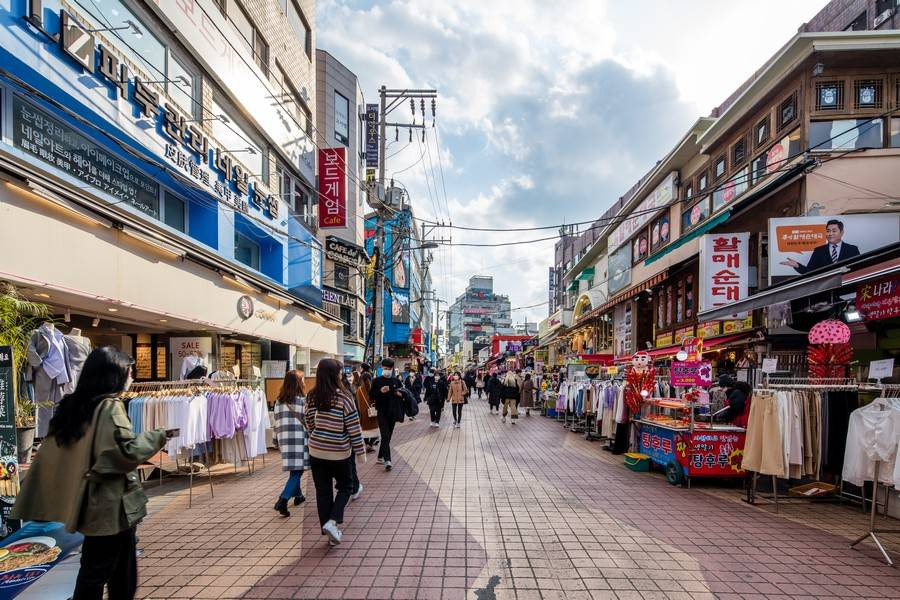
[140, 141]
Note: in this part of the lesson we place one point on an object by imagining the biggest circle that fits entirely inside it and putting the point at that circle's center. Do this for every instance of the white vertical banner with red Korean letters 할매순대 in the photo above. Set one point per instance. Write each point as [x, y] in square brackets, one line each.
[724, 270]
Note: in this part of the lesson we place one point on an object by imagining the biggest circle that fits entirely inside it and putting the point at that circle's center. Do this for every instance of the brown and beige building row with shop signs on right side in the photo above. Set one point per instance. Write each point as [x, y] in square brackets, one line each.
[717, 240]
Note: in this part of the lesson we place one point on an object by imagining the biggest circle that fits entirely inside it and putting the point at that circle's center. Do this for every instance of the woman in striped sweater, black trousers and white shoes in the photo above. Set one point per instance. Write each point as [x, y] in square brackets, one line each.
[334, 433]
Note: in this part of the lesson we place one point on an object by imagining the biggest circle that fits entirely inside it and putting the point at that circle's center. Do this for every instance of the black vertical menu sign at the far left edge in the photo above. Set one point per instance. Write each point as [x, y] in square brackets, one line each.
[9, 459]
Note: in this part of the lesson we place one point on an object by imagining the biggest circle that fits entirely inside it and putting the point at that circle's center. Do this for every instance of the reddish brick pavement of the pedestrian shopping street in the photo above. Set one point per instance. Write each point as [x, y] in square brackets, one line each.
[495, 512]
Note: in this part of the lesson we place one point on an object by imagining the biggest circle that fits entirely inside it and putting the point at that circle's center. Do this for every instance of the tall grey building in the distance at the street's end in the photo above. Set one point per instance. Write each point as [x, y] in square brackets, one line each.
[477, 315]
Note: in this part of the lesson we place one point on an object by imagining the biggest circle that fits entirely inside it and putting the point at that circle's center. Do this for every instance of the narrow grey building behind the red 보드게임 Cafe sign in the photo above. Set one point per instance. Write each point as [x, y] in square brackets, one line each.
[339, 109]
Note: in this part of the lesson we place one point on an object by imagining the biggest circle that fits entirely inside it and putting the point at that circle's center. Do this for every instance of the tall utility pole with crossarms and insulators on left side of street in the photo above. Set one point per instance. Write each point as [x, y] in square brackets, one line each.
[395, 97]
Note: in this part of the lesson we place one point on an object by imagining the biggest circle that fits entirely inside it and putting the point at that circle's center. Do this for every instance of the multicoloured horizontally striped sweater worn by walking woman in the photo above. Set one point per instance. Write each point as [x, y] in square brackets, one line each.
[334, 433]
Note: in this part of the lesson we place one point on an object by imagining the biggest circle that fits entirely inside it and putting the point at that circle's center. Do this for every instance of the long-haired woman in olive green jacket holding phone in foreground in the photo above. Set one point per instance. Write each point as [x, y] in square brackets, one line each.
[84, 476]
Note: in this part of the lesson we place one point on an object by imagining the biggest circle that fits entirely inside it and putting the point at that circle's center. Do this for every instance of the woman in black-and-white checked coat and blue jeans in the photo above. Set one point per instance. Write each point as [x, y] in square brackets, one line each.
[290, 431]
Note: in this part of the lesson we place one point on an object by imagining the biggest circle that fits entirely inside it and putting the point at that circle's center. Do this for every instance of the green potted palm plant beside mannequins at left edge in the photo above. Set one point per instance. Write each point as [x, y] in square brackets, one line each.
[18, 318]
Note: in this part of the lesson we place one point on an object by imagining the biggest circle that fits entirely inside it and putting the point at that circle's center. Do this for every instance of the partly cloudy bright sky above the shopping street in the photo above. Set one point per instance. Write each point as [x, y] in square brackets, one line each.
[547, 112]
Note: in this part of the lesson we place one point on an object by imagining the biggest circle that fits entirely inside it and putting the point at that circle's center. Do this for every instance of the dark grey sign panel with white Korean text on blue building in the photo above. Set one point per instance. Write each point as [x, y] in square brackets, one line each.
[59, 145]
